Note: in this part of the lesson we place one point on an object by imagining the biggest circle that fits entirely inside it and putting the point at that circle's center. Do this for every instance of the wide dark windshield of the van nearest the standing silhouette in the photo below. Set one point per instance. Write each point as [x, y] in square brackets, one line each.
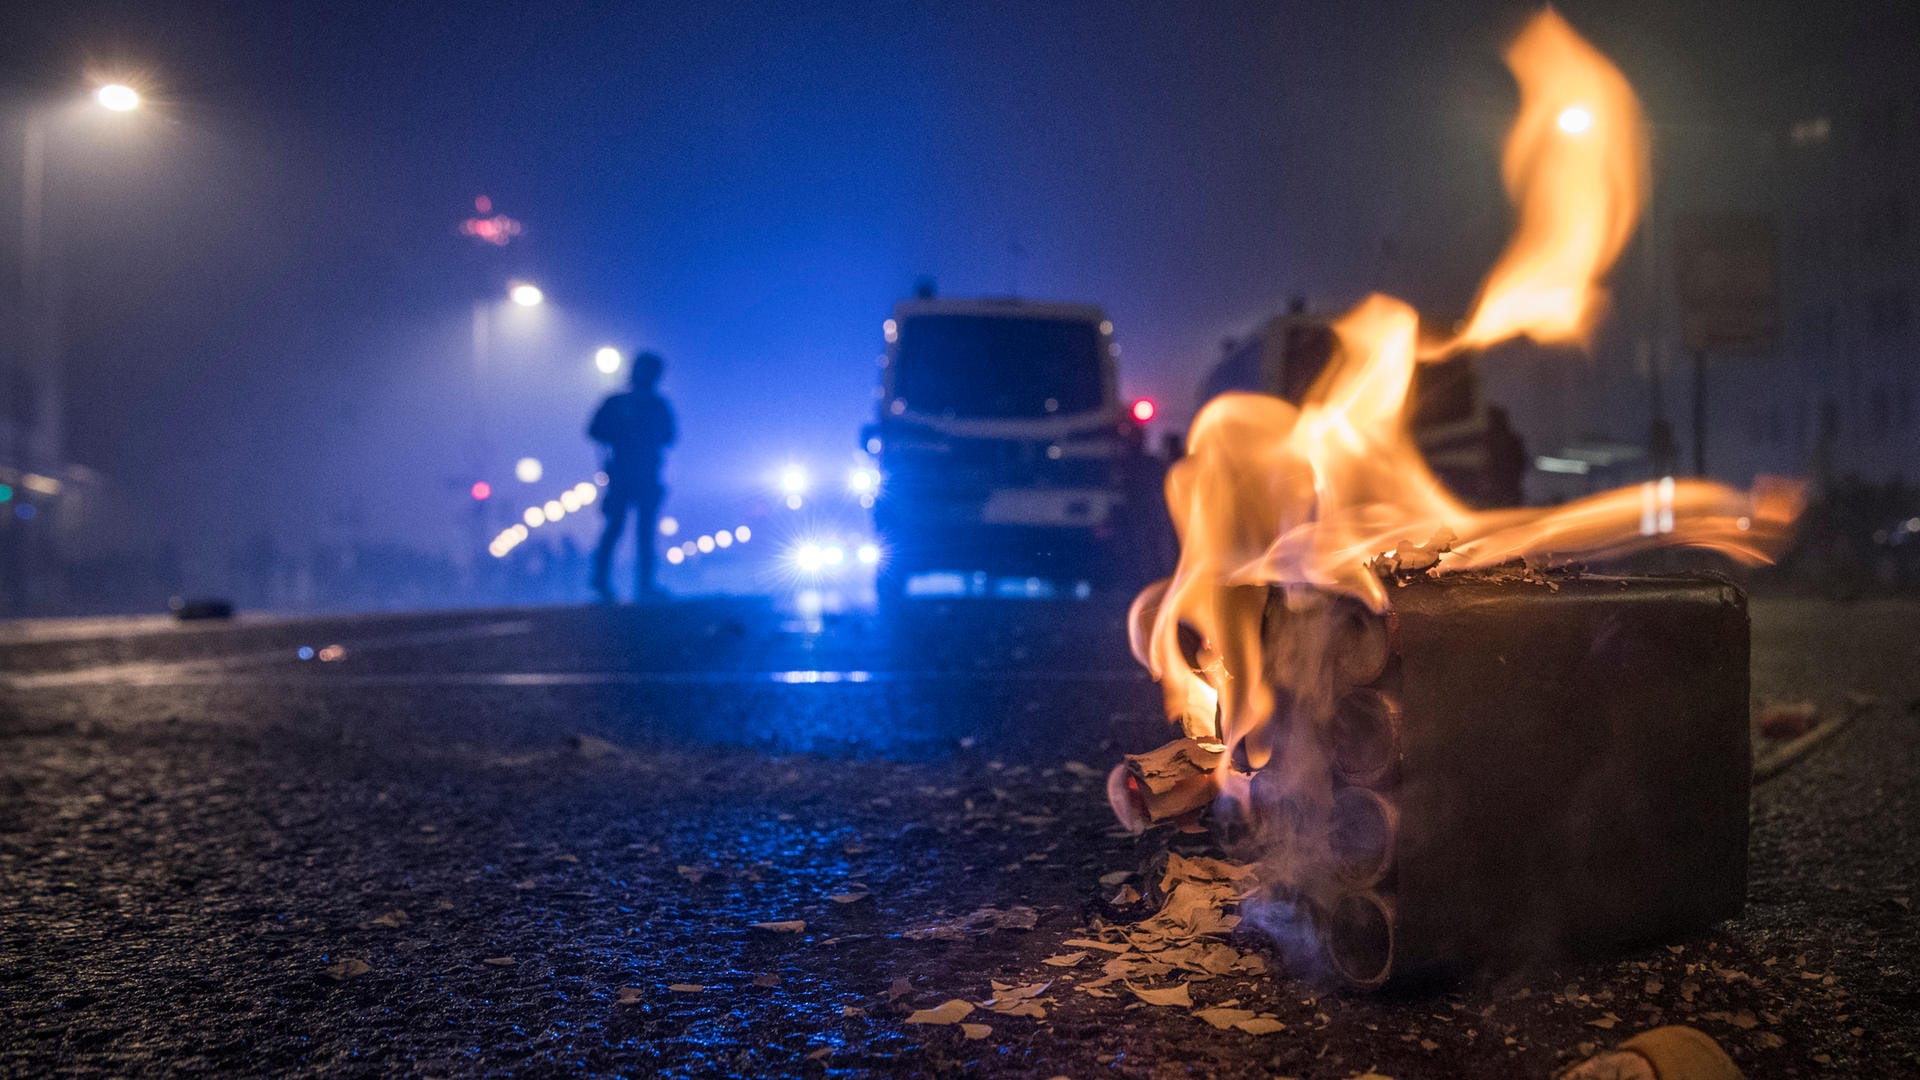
[986, 366]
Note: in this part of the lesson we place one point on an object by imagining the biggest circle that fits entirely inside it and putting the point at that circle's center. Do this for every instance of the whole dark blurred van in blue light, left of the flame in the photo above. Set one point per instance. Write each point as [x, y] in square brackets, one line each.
[1001, 443]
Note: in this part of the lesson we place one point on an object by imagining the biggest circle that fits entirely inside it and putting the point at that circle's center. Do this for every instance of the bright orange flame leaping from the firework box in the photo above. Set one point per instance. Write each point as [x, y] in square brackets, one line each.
[1314, 495]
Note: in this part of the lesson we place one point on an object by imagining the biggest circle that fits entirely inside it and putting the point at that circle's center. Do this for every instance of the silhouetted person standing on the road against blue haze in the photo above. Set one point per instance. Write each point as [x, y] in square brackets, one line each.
[636, 430]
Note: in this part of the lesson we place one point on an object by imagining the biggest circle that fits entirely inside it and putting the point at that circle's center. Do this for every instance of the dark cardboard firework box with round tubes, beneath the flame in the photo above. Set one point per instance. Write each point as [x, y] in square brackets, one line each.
[1527, 766]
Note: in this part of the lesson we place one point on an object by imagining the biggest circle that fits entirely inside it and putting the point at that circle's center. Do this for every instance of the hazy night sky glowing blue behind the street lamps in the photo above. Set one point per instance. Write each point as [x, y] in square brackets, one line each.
[268, 303]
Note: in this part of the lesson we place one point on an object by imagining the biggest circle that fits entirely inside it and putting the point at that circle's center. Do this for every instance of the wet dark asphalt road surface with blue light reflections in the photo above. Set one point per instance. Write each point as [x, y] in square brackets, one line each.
[540, 843]
